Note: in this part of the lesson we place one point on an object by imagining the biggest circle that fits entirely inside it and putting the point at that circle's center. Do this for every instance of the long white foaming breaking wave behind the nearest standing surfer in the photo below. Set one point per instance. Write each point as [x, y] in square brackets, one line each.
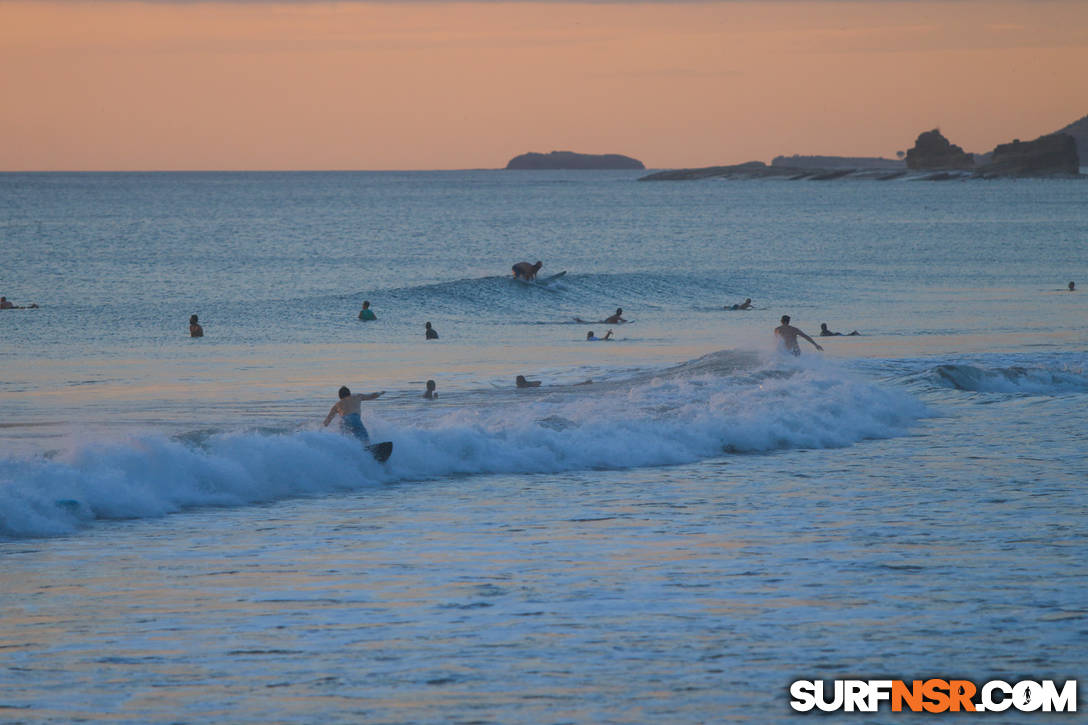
[681, 416]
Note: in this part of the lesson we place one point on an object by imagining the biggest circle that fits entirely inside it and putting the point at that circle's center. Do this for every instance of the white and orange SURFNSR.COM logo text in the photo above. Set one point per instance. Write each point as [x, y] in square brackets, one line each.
[934, 696]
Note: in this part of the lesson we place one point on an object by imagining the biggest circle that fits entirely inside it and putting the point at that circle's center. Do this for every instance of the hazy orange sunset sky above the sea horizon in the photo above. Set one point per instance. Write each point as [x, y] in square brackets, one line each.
[411, 85]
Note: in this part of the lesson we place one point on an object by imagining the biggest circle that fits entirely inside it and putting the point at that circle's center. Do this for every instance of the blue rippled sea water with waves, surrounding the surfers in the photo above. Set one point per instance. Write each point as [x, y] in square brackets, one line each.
[707, 521]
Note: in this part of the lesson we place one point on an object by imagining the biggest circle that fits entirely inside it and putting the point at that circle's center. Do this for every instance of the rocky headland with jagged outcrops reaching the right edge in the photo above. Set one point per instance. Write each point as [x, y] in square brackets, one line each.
[932, 158]
